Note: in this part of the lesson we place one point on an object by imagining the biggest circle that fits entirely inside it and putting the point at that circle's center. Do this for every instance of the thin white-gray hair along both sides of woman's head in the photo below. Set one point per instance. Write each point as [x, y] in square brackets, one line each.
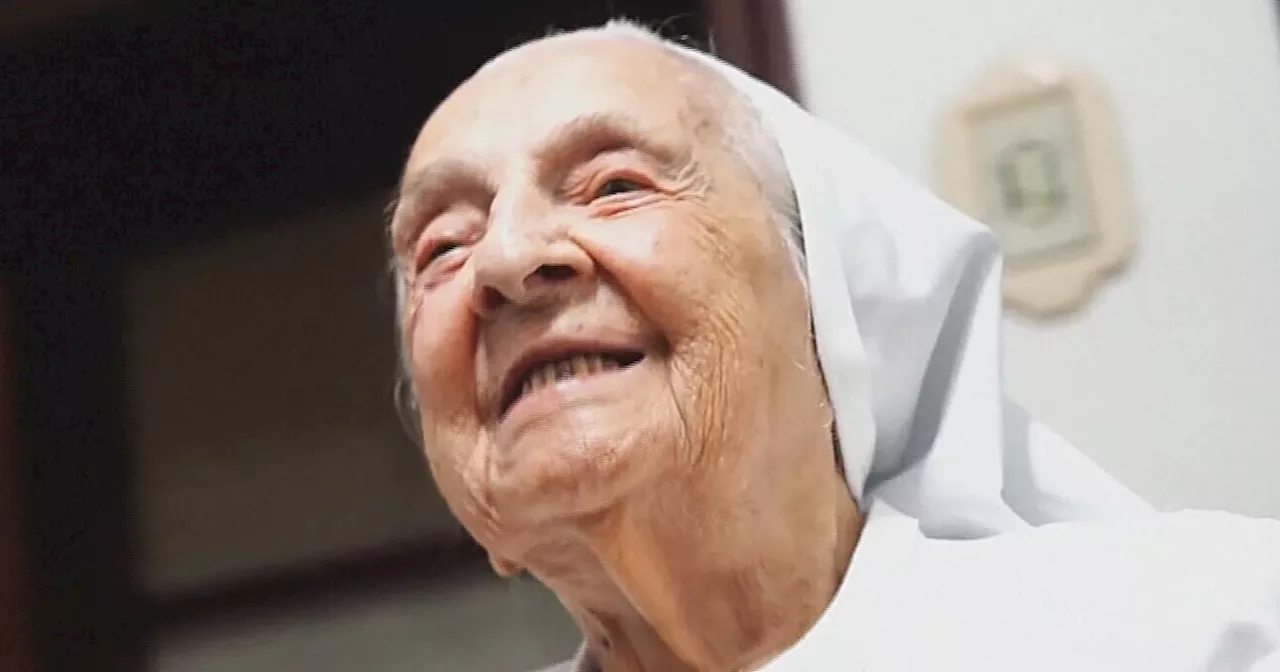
[744, 136]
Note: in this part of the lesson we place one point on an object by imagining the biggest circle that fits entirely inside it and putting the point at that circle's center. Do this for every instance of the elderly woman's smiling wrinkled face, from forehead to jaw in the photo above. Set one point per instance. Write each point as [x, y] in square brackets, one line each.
[598, 305]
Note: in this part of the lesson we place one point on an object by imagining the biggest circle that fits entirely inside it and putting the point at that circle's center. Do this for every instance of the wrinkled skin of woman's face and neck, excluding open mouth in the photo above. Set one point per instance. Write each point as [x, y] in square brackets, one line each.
[687, 510]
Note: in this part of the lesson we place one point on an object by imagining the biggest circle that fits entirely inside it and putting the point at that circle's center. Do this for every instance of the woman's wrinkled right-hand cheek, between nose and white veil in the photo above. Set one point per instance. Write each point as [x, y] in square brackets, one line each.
[696, 278]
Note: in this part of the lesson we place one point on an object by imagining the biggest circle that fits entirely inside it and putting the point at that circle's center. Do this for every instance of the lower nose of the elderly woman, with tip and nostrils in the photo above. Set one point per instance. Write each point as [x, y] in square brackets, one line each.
[527, 267]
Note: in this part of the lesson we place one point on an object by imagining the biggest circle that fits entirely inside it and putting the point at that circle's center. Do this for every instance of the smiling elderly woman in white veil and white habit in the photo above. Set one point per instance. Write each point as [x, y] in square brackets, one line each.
[729, 447]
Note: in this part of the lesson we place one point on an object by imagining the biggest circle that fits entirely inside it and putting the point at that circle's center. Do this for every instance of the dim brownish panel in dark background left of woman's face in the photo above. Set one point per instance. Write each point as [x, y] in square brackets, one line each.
[260, 377]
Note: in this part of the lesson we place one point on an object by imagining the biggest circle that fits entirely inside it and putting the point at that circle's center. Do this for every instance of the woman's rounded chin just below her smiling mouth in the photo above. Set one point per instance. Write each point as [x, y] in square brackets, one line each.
[579, 447]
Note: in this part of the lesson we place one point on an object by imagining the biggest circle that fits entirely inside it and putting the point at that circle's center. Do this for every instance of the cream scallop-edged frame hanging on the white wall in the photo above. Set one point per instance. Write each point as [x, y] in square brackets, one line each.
[1034, 152]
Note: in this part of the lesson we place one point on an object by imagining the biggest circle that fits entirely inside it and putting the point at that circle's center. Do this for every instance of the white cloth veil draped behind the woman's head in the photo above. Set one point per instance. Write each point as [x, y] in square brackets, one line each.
[907, 310]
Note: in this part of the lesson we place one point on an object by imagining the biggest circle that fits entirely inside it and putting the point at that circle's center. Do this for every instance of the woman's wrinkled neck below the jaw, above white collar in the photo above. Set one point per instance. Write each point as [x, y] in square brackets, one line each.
[659, 591]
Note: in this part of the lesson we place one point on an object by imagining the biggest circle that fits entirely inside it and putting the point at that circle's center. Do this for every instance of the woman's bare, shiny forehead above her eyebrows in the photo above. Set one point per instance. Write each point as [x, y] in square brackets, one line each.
[516, 104]
